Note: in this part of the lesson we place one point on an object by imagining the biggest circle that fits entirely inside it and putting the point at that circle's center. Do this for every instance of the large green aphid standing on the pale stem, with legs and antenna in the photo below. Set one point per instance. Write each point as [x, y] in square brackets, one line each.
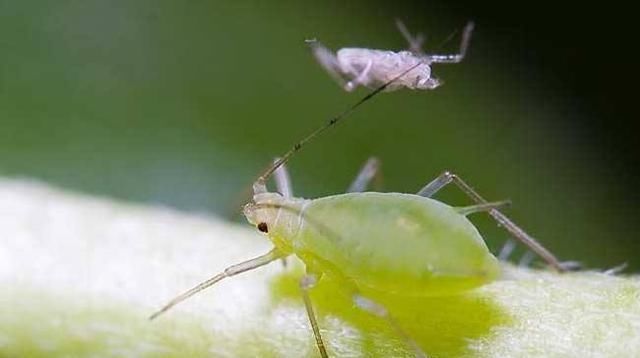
[403, 244]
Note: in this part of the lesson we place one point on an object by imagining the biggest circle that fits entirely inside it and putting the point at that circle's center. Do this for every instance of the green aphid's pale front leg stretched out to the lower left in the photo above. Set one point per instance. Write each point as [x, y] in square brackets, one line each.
[230, 271]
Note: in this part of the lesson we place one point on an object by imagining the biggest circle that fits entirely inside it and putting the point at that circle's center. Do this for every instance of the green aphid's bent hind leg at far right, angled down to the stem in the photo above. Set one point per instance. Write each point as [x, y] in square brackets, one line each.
[448, 177]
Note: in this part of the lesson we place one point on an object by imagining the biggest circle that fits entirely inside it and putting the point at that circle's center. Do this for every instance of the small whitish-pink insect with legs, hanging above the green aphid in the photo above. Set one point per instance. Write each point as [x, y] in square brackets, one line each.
[353, 67]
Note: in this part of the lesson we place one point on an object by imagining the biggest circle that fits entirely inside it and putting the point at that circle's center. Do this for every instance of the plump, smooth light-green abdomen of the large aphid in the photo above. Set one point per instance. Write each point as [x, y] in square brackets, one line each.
[398, 243]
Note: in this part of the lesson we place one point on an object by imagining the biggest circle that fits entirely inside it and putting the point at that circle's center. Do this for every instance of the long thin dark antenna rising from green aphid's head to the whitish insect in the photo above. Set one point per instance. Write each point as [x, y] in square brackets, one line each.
[259, 185]
